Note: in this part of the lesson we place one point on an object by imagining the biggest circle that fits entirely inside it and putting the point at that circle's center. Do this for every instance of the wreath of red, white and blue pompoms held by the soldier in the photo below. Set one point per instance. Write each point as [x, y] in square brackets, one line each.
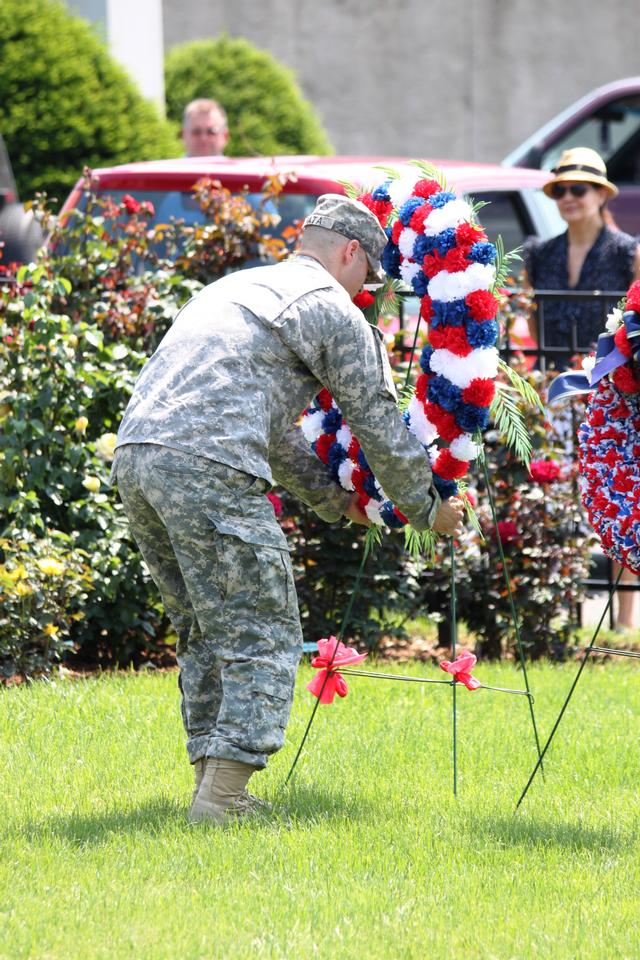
[435, 247]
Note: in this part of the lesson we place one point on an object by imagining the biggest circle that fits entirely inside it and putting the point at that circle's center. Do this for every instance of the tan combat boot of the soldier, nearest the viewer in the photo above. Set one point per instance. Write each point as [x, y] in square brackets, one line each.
[222, 795]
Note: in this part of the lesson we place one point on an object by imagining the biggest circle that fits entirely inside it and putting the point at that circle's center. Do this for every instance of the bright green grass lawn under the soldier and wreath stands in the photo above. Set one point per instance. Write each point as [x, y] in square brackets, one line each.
[371, 856]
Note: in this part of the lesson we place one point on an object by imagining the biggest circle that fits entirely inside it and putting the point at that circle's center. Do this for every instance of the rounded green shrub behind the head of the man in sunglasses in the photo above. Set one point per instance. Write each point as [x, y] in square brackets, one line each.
[266, 110]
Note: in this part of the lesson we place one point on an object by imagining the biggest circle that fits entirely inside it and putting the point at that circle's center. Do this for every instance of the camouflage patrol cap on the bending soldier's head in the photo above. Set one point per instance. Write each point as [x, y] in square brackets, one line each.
[353, 220]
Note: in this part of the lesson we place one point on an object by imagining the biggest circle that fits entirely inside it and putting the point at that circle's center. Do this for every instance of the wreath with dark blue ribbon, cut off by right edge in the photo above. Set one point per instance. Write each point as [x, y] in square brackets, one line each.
[609, 439]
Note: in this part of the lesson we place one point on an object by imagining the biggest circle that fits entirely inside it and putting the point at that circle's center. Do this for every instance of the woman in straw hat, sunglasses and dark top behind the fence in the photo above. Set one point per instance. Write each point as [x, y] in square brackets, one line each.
[589, 255]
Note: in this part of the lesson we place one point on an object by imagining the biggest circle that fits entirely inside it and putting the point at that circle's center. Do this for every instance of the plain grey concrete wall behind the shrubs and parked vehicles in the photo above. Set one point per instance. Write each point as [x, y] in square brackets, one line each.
[466, 79]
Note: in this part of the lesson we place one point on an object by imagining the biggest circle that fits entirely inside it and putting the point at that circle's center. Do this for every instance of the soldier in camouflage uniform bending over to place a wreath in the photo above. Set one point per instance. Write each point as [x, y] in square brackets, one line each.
[210, 426]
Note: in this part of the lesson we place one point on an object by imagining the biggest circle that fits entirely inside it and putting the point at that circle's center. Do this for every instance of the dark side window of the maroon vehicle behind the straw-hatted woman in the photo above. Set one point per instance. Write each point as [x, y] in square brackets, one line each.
[614, 132]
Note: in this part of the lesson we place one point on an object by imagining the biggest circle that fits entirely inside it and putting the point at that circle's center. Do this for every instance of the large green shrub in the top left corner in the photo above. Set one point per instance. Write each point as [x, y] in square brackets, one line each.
[65, 103]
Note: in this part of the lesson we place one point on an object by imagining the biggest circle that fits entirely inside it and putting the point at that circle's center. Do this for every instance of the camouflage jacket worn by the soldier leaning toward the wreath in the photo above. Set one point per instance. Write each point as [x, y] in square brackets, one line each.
[242, 360]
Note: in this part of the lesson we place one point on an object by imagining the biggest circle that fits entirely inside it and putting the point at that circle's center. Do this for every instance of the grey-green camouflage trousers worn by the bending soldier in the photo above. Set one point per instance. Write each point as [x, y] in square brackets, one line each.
[218, 556]
